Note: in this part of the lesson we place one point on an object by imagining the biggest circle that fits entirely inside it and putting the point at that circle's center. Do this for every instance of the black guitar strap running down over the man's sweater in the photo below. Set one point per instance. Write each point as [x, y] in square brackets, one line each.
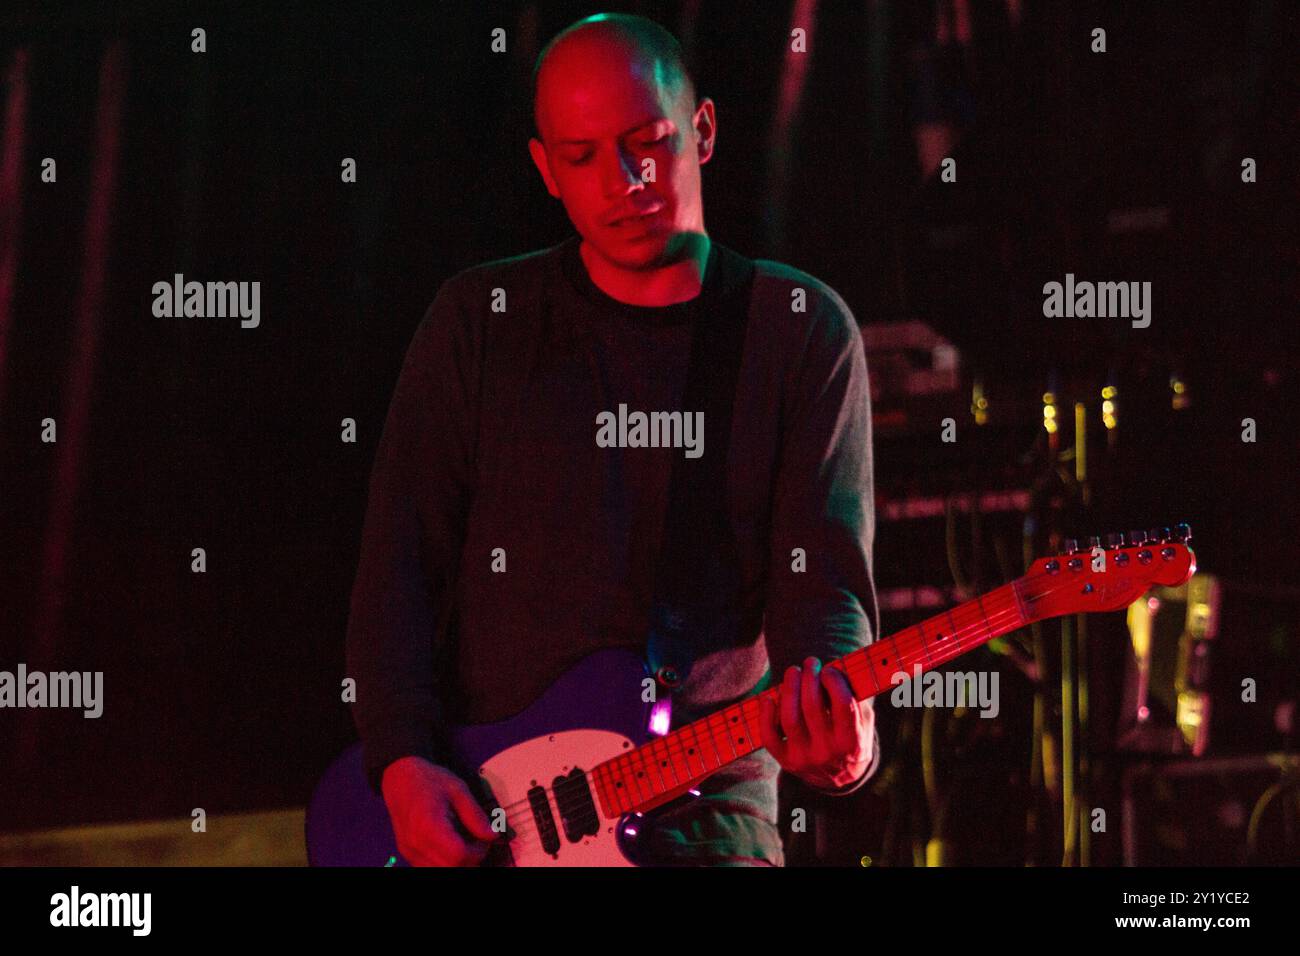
[696, 572]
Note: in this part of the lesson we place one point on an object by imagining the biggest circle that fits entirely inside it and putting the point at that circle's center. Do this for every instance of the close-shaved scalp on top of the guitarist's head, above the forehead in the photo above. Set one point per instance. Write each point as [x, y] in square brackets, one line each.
[647, 49]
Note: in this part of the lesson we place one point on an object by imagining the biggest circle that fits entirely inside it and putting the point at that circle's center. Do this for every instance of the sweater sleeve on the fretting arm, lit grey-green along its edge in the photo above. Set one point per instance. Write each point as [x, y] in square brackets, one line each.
[821, 600]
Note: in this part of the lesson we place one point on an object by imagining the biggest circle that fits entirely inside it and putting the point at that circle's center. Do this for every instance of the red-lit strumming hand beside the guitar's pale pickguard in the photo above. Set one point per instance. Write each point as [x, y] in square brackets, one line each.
[435, 816]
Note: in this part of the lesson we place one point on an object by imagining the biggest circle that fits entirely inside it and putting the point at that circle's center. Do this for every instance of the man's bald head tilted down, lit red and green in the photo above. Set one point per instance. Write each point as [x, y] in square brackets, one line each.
[610, 93]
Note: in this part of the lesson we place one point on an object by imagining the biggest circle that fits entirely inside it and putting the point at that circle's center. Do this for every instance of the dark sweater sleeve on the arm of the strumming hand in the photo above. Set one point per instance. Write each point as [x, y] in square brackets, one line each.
[419, 499]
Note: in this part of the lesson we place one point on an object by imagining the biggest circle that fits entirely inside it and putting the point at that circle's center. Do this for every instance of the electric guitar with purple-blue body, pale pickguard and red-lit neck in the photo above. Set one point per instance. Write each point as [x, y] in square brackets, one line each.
[570, 777]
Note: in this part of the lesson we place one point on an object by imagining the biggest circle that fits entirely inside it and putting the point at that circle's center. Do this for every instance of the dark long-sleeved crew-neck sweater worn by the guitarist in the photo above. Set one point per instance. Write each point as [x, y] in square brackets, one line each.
[491, 443]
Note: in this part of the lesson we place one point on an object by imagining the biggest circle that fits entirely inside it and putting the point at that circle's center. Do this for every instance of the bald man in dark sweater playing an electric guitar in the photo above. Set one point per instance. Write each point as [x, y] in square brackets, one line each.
[489, 444]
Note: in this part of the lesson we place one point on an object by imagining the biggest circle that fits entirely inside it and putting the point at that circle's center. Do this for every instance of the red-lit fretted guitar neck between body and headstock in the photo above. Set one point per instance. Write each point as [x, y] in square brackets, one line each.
[674, 764]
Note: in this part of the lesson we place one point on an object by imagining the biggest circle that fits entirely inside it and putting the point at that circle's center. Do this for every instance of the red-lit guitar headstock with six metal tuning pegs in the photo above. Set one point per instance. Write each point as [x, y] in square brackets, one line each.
[1107, 577]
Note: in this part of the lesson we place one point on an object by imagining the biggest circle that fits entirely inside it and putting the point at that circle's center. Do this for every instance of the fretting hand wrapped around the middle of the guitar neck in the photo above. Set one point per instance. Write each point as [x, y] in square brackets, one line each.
[818, 730]
